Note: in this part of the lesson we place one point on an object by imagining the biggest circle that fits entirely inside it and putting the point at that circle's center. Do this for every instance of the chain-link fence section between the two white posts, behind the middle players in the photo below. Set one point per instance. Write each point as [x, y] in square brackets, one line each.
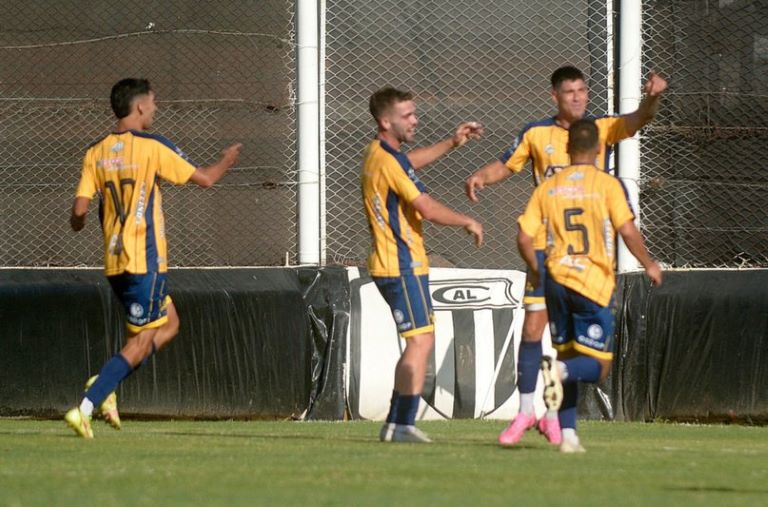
[481, 60]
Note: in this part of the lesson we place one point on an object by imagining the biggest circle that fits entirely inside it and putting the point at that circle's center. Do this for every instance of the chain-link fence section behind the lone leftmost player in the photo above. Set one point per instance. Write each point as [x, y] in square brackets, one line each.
[223, 72]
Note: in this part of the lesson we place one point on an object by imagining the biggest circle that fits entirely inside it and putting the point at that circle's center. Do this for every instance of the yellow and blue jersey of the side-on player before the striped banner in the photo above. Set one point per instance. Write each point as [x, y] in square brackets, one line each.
[389, 185]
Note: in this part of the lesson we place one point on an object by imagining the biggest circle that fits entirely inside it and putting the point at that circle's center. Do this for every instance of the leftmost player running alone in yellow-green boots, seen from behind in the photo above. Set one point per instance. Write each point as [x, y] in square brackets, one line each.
[125, 168]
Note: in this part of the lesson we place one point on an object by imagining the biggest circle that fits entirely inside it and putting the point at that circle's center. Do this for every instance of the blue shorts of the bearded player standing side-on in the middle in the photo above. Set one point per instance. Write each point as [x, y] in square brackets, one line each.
[408, 298]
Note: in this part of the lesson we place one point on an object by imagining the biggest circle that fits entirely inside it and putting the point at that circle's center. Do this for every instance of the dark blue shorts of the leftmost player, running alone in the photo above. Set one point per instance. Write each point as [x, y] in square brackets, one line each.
[144, 297]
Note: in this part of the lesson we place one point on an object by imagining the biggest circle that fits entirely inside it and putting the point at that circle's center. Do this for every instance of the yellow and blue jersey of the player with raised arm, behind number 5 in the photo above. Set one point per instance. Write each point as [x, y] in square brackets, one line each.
[545, 144]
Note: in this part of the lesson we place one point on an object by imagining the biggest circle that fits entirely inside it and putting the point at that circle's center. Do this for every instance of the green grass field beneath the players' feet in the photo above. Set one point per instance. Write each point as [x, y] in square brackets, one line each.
[334, 463]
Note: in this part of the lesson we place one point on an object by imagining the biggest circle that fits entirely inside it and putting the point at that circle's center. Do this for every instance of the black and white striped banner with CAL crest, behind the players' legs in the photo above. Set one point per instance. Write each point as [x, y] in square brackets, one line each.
[472, 371]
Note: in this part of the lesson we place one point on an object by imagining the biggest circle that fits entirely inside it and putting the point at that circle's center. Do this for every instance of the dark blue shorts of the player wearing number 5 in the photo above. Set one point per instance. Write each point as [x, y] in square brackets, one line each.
[579, 324]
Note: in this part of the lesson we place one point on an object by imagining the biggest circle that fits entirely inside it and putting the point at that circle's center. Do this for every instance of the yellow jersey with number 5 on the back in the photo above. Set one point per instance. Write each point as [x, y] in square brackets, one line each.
[579, 209]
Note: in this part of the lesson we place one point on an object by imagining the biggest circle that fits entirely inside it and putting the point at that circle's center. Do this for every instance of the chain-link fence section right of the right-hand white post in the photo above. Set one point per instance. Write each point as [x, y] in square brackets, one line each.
[704, 188]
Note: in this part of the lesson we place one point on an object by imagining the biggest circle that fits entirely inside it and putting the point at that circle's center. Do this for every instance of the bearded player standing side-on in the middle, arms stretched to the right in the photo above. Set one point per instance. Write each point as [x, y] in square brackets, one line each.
[396, 202]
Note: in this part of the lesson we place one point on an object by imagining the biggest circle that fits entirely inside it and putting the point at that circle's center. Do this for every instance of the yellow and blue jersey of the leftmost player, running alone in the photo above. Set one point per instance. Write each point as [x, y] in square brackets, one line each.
[124, 169]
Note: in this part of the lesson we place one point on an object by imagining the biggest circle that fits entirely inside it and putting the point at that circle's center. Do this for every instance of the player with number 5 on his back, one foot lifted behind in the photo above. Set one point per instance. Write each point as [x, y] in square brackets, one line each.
[579, 209]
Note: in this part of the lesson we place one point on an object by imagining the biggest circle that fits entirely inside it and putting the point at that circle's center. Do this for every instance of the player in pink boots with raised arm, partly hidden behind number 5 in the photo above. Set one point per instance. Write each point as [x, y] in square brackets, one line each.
[544, 143]
